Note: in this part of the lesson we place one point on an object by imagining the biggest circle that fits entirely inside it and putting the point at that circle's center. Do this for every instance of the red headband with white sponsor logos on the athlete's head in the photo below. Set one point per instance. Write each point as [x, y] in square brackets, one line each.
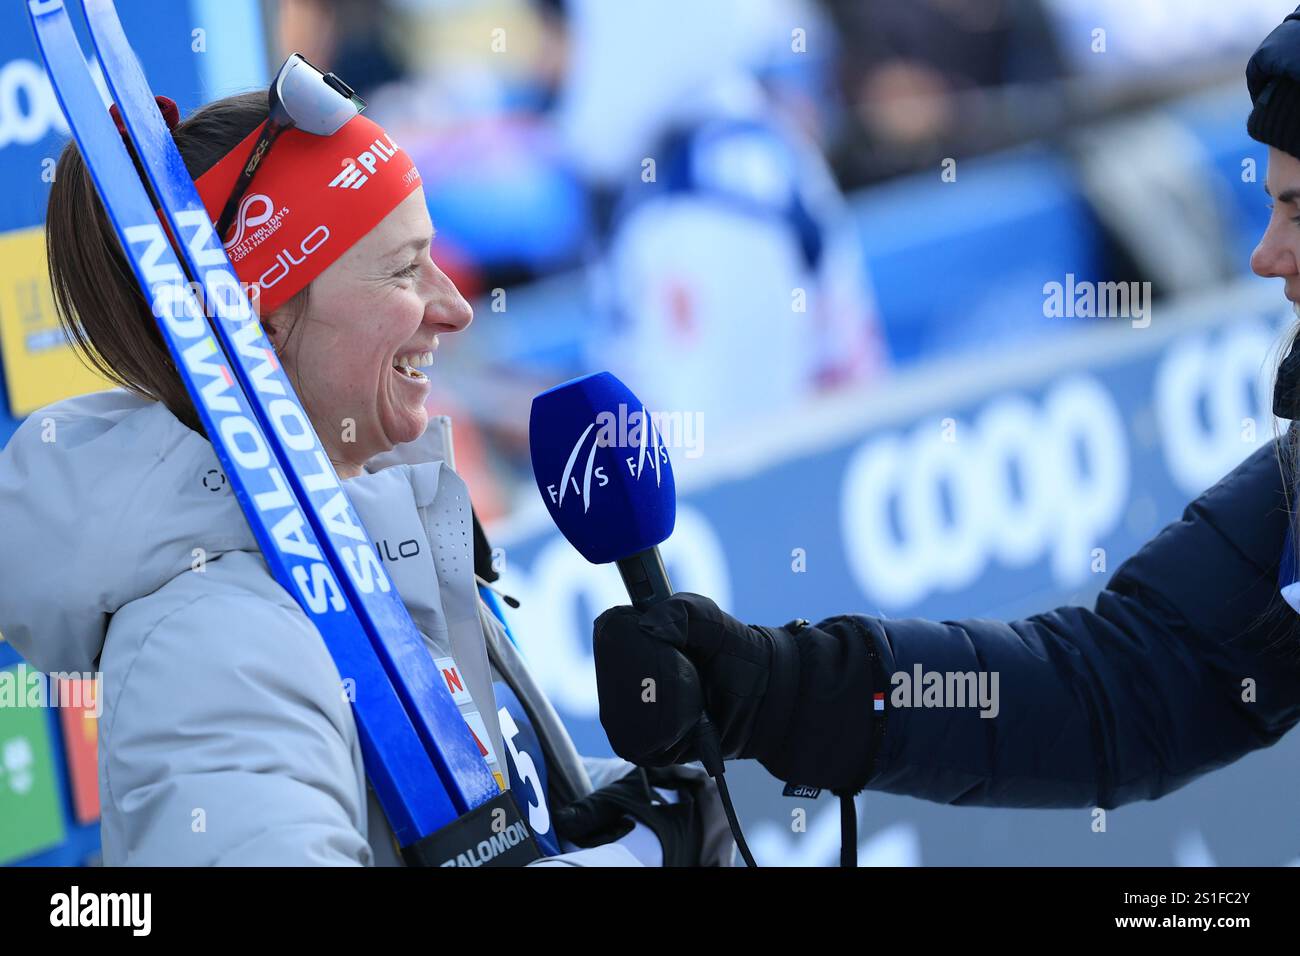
[311, 201]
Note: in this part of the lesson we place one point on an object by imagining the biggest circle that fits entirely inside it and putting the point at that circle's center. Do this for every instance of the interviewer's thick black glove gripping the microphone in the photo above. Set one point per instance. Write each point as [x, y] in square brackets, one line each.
[799, 699]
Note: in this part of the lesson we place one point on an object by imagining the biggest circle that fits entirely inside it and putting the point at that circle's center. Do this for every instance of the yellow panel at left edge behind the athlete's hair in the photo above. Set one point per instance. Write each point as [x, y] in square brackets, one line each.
[40, 365]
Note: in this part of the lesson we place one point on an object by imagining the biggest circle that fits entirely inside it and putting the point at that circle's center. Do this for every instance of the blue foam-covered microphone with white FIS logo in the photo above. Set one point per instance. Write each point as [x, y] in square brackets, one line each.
[605, 477]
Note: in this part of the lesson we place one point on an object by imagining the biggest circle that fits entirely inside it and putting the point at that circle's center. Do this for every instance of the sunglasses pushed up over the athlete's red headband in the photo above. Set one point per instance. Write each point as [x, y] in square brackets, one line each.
[301, 98]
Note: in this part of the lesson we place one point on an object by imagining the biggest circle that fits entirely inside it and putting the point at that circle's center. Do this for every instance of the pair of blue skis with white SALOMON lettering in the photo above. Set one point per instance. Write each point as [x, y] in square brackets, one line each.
[437, 793]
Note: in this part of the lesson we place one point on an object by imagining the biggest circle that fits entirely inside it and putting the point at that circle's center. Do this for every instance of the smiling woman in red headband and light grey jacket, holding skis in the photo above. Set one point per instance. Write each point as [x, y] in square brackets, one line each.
[226, 737]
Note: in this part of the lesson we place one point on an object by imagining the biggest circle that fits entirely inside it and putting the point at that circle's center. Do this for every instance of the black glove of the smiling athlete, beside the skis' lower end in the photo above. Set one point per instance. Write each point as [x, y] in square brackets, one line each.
[604, 816]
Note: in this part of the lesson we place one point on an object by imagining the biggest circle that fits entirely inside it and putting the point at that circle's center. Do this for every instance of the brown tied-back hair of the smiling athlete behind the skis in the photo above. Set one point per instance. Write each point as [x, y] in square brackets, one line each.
[101, 308]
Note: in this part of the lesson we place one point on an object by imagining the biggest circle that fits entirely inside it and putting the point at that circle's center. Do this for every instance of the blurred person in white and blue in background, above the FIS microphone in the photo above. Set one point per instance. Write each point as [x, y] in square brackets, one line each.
[735, 284]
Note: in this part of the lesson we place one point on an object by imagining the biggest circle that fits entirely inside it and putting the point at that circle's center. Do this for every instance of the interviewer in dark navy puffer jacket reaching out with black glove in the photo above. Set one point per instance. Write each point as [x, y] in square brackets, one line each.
[1189, 661]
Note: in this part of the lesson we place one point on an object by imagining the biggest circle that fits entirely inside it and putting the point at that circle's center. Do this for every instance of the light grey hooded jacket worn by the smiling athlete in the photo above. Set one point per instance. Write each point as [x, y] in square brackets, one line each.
[224, 737]
